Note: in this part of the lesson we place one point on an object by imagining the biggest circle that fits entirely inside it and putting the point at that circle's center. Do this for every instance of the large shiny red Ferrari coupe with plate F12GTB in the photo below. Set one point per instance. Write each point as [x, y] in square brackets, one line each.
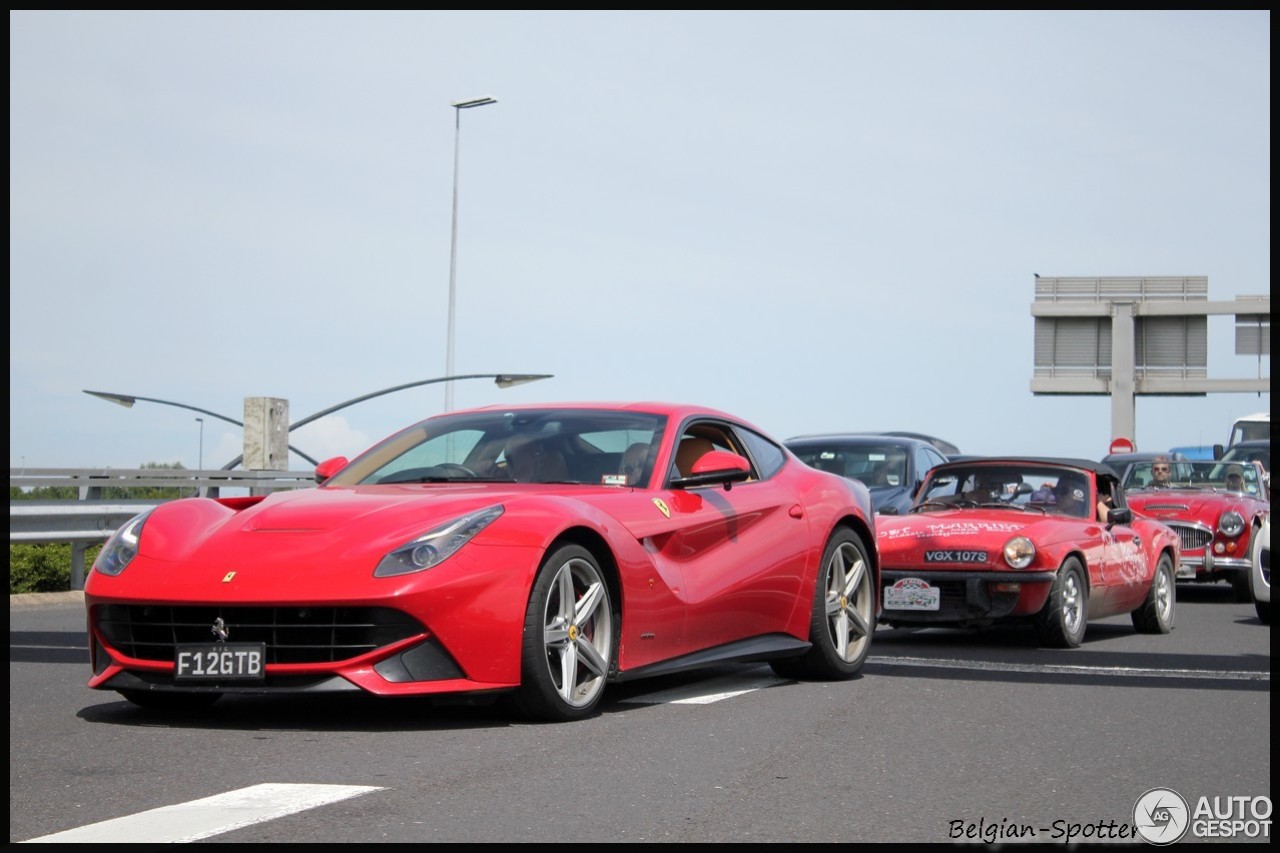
[537, 553]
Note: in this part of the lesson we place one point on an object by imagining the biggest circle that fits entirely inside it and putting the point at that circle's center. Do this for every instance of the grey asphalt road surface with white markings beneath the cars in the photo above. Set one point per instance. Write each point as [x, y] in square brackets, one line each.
[947, 737]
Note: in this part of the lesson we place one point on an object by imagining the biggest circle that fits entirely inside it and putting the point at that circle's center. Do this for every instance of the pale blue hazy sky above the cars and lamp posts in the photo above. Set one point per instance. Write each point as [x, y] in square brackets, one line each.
[819, 221]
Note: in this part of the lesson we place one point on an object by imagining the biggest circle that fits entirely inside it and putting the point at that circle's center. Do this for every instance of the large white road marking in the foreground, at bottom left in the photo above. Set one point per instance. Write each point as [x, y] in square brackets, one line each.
[209, 816]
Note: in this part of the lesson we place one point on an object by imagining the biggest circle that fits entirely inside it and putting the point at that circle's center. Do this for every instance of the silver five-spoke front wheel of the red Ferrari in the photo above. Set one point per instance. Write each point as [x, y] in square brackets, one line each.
[569, 638]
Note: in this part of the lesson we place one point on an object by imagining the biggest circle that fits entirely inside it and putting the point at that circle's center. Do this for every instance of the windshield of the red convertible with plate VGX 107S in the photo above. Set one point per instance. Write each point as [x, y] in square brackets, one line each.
[1016, 486]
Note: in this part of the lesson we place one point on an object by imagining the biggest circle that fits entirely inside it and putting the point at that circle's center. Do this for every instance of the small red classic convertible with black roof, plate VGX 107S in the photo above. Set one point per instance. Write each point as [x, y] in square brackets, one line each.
[1045, 541]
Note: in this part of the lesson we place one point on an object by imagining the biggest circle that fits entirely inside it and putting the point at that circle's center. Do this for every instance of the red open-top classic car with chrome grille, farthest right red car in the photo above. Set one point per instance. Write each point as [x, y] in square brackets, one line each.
[1218, 509]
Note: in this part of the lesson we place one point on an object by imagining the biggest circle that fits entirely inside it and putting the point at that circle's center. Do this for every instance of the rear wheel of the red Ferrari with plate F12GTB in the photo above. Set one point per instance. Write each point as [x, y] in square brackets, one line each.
[844, 614]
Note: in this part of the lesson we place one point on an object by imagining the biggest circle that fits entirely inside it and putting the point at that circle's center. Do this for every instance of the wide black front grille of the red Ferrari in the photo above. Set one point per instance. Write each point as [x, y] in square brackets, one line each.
[291, 635]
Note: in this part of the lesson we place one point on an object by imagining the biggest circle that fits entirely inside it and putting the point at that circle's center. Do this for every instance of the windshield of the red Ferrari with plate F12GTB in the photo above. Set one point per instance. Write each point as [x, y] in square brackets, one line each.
[524, 446]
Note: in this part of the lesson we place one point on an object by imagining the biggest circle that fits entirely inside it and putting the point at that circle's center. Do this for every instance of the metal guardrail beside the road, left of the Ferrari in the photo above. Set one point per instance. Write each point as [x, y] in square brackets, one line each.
[90, 519]
